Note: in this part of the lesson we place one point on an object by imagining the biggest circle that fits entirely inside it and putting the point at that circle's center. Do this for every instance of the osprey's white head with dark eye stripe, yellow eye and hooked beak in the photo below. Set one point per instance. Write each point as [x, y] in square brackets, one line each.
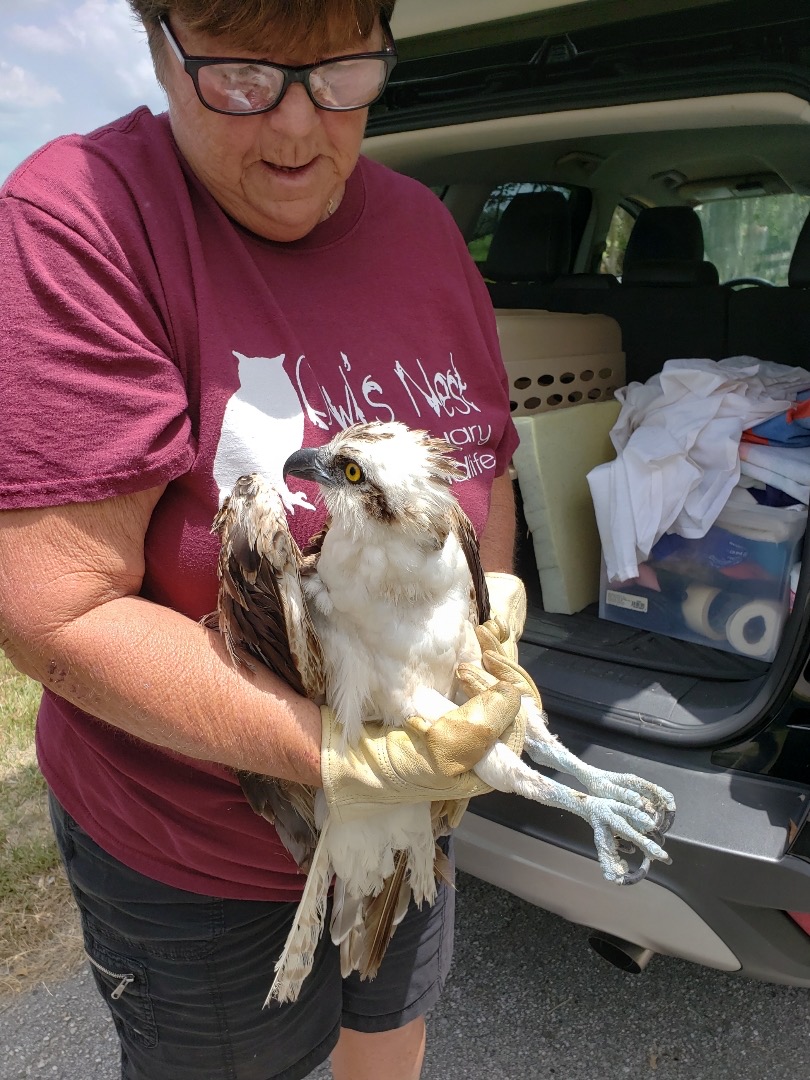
[386, 474]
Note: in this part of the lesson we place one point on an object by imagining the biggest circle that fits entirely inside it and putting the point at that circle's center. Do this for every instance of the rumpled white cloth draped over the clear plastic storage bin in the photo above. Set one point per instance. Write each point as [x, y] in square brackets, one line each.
[678, 441]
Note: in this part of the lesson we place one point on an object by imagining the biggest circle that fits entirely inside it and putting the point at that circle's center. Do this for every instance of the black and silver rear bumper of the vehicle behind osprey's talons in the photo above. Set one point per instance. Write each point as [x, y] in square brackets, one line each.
[721, 903]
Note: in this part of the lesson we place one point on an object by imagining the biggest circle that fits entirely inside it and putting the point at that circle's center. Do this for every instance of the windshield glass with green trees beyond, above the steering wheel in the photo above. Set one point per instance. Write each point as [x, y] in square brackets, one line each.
[753, 238]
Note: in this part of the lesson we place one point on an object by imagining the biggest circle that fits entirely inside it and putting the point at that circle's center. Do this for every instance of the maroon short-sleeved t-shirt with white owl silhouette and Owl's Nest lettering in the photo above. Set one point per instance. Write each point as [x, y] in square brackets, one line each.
[147, 340]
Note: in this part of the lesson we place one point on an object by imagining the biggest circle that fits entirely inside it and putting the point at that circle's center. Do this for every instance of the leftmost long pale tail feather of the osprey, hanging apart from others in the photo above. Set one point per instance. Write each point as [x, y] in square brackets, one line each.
[296, 962]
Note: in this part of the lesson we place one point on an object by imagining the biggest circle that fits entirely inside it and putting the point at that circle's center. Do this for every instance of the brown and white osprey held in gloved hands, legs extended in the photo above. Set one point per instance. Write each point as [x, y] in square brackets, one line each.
[382, 618]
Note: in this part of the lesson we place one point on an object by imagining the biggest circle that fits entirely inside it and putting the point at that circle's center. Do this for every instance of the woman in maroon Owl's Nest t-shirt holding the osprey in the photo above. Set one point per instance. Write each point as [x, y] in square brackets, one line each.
[186, 299]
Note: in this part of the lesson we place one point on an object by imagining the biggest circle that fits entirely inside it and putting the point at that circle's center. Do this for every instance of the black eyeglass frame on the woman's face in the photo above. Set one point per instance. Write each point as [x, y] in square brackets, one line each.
[301, 74]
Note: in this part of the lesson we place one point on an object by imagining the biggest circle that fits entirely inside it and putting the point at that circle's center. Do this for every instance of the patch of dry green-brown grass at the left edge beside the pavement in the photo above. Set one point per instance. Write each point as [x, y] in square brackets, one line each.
[39, 933]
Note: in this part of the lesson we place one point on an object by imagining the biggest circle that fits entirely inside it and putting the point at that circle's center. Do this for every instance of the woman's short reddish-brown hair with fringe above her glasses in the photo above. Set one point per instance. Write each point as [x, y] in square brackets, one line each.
[320, 24]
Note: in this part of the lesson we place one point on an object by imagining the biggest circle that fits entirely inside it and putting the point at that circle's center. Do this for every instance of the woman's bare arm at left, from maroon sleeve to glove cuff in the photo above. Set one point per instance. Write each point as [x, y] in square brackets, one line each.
[72, 619]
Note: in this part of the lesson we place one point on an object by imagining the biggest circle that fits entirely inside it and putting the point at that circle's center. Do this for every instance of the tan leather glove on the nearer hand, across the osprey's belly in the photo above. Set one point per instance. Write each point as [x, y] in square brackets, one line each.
[420, 763]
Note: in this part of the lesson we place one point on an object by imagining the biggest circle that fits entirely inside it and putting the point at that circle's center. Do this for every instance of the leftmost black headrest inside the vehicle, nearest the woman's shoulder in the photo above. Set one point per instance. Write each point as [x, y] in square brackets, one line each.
[533, 240]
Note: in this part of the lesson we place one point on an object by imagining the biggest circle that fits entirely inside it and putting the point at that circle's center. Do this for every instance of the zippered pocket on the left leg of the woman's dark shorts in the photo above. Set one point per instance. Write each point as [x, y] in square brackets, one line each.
[125, 987]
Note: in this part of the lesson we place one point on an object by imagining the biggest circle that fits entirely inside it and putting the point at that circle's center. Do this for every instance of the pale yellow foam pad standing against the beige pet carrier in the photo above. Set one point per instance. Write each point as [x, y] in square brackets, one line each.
[557, 453]
